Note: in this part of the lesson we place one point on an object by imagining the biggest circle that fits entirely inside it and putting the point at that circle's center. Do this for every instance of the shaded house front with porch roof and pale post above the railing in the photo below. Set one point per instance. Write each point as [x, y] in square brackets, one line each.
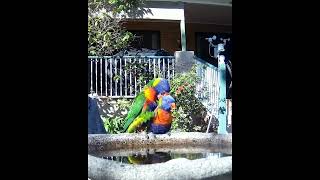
[182, 25]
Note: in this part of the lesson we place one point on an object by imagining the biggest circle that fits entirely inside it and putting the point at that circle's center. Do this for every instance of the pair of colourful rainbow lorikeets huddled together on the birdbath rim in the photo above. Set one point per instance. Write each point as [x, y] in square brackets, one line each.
[151, 109]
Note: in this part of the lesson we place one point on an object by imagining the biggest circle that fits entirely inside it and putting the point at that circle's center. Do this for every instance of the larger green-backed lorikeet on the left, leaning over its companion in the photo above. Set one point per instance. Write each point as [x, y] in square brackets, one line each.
[142, 109]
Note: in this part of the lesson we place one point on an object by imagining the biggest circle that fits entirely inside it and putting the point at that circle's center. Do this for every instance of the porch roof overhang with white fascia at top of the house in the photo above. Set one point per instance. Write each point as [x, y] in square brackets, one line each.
[190, 11]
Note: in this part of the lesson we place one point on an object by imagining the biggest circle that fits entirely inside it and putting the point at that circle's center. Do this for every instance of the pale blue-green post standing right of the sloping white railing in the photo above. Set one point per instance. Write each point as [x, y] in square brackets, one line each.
[222, 111]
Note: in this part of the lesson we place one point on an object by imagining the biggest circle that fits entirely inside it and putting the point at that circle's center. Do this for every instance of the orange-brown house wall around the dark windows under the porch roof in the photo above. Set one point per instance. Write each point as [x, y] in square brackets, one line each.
[170, 32]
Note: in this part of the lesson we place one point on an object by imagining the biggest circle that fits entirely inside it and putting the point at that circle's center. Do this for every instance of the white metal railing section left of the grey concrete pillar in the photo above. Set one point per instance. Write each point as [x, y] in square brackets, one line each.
[125, 76]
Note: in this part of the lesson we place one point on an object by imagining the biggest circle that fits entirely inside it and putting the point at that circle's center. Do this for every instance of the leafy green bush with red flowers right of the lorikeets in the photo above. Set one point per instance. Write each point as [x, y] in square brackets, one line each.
[190, 112]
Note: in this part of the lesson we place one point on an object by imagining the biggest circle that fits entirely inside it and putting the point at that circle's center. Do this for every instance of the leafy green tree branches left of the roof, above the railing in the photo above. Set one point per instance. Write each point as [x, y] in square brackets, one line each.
[106, 35]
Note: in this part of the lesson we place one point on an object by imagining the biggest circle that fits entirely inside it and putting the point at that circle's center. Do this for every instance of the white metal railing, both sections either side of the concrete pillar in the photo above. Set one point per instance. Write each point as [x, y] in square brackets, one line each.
[116, 77]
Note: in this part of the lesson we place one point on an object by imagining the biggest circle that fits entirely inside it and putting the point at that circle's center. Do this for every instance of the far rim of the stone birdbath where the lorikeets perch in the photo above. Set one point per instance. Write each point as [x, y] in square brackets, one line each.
[140, 140]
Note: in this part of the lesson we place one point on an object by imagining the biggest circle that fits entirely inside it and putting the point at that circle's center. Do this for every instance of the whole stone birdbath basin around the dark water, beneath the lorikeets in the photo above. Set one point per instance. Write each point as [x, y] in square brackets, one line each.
[208, 167]
